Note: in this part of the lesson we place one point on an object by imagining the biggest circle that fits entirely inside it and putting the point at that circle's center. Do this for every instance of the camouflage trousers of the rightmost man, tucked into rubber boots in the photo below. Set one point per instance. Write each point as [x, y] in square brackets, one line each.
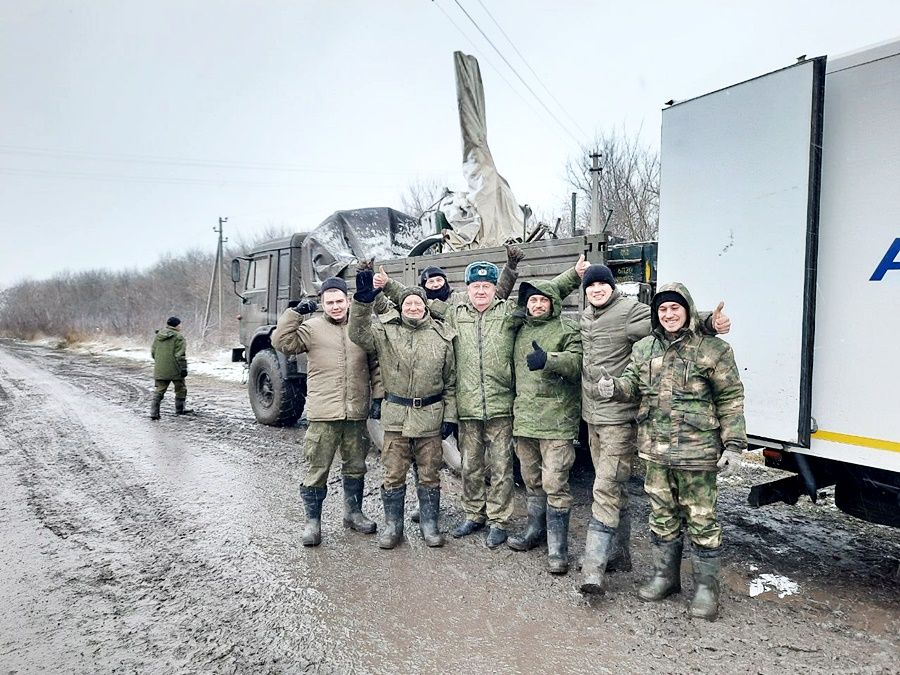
[678, 495]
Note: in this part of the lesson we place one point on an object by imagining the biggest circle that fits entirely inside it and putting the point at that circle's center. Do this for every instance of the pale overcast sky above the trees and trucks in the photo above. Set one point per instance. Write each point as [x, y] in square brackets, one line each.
[127, 128]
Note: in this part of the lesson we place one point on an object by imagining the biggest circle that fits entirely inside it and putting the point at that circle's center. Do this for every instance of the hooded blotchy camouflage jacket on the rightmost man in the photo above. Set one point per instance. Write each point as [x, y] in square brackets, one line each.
[691, 395]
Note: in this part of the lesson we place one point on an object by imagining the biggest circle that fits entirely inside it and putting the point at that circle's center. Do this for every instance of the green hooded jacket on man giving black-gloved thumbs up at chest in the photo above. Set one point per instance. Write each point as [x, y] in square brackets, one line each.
[548, 401]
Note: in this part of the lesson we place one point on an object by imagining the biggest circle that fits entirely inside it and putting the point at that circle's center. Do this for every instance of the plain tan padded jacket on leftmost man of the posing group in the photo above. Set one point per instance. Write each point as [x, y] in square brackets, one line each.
[341, 378]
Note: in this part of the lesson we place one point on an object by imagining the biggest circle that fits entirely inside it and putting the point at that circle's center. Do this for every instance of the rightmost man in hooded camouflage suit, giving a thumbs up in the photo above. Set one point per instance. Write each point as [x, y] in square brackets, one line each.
[690, 423]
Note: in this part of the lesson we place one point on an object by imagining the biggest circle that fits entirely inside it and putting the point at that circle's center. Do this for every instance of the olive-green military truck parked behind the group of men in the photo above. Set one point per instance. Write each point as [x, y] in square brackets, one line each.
[282, 272]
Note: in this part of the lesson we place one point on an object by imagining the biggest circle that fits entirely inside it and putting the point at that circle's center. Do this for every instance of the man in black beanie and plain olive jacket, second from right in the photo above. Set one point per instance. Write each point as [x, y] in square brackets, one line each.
[610, 325]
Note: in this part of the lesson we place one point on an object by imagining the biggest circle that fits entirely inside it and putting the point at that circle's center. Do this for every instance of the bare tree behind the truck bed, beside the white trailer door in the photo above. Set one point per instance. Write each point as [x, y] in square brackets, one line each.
[629, 186]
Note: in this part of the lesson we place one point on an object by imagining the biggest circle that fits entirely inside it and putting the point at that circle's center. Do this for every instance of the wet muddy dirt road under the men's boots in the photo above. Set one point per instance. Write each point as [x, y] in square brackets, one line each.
[173, 546]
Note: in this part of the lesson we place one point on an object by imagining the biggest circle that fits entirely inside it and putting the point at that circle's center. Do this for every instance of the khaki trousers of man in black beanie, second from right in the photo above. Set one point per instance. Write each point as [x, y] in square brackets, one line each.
[613, 447]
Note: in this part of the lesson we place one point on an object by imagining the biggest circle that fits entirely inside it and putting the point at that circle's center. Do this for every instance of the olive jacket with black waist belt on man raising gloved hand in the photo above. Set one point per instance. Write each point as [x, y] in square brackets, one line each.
[416, 361]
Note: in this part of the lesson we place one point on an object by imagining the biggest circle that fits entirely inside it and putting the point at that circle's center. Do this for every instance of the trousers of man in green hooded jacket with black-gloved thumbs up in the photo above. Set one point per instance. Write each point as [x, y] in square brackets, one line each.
[545, 464]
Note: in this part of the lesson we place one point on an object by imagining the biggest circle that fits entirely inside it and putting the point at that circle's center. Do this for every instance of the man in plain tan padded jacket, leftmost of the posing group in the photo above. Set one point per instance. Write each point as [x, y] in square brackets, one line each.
[340, 381]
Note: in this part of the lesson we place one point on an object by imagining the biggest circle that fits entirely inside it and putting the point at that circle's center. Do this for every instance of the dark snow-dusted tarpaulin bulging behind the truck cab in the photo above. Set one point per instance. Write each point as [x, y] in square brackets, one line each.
[347, 236]
